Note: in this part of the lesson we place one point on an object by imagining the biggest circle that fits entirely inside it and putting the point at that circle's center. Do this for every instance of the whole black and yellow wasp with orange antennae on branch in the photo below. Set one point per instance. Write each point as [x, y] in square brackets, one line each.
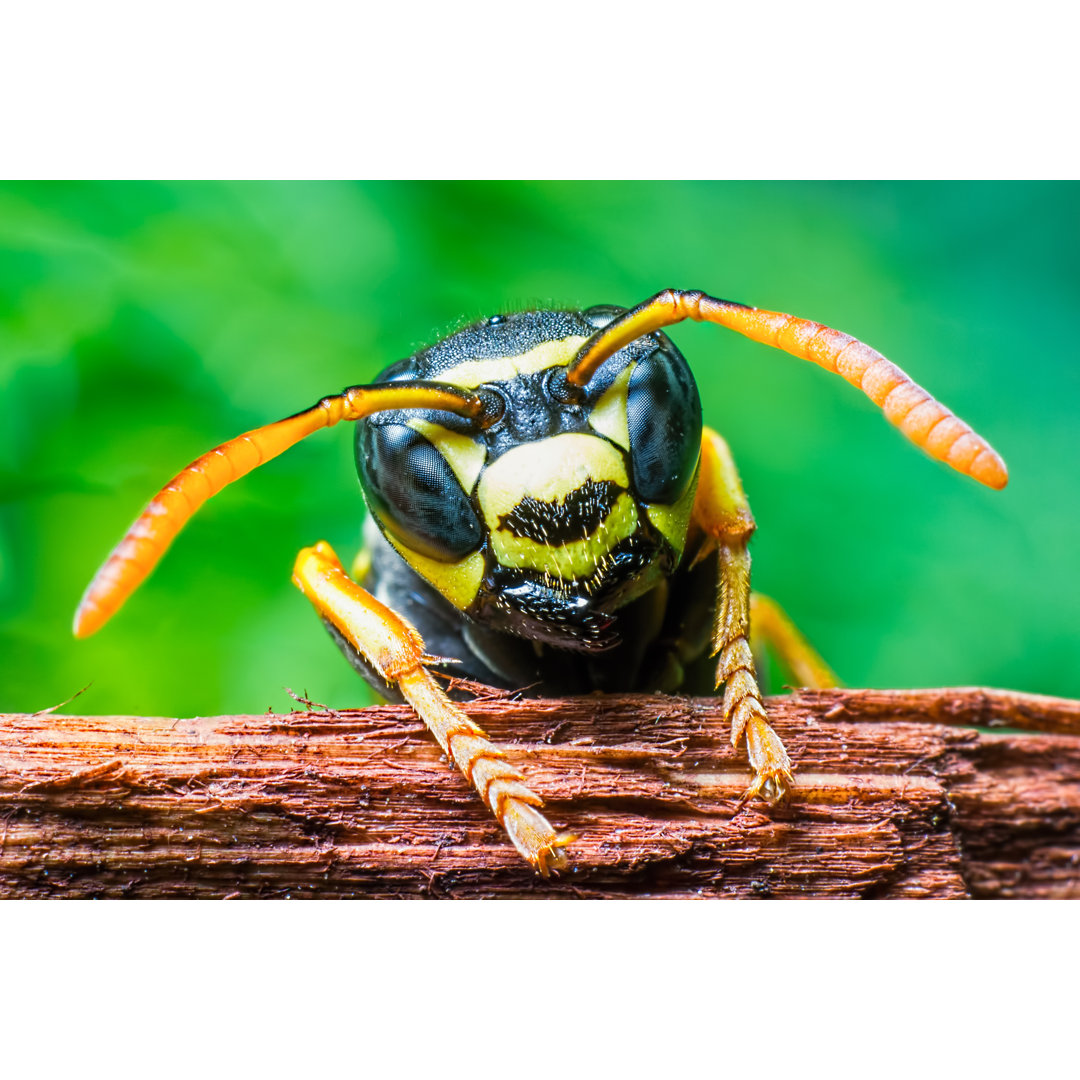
[548, 514]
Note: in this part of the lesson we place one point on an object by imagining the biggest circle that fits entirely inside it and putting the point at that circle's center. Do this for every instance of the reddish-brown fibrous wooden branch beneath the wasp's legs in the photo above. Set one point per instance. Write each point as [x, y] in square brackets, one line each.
[895, 798]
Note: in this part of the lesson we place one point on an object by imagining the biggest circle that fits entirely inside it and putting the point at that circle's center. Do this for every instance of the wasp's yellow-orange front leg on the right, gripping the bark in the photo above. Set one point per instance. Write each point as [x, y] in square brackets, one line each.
[722, 514]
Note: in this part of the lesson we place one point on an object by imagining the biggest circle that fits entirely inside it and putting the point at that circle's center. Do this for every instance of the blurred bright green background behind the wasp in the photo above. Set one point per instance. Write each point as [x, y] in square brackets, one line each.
[141, 325]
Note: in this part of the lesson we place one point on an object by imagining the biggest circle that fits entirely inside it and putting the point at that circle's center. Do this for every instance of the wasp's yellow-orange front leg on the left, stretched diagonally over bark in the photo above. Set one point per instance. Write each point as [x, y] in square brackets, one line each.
[396, 651]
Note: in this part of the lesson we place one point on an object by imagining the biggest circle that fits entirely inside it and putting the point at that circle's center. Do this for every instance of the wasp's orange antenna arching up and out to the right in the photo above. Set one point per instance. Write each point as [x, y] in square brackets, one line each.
[926, 422]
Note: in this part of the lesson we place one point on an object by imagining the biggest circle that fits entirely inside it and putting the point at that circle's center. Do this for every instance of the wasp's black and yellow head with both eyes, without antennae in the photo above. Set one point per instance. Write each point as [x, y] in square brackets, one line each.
[561, 508]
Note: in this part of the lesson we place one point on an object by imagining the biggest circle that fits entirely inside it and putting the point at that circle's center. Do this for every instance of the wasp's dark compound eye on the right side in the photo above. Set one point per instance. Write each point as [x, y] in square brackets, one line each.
[664, 418]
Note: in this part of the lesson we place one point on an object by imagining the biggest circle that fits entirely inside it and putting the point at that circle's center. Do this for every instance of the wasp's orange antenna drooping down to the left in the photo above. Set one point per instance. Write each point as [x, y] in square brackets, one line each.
[148, 539]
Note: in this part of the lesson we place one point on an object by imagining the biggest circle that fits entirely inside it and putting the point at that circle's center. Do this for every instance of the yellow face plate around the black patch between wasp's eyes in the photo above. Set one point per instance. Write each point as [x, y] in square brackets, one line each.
[549, 471]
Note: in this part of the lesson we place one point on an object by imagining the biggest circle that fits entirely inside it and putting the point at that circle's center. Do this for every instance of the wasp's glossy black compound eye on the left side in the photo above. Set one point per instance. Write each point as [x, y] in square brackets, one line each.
[413, 491]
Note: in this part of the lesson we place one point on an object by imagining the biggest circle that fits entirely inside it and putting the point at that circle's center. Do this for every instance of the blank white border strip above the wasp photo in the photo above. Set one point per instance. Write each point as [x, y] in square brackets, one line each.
[562, 90]
